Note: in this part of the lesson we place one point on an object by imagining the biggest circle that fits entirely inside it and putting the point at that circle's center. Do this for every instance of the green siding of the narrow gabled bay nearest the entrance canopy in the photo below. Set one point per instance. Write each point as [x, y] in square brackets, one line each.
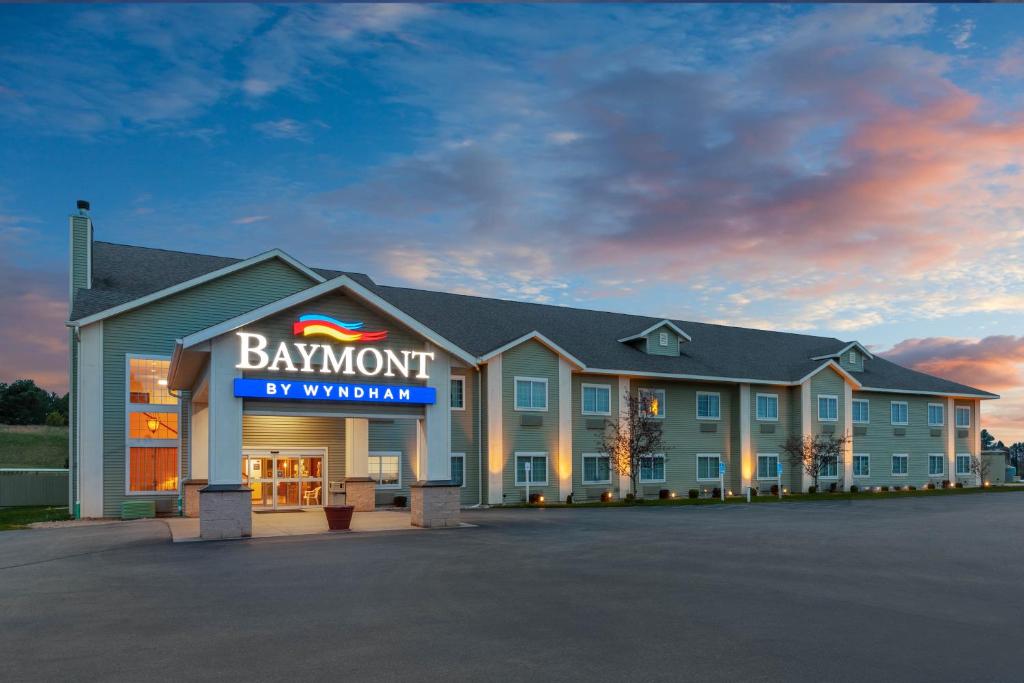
[531, 360]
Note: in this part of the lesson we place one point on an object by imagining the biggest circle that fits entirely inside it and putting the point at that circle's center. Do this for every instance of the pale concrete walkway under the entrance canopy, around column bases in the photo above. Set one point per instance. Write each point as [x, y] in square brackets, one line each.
[302, 523]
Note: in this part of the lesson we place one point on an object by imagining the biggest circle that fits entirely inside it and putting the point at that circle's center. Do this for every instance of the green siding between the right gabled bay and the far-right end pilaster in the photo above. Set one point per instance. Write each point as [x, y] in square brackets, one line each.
[881, 442]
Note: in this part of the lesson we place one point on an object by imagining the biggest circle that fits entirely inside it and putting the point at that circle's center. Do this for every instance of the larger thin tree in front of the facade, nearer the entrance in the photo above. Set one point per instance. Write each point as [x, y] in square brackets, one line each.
[631, 442]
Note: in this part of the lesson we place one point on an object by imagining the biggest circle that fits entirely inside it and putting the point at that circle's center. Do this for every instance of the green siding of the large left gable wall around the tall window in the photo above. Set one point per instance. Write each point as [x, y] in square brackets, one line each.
[152, 331]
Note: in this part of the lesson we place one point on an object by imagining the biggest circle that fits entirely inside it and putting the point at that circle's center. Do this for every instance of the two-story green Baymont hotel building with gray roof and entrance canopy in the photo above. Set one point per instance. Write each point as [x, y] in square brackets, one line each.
[212, 387]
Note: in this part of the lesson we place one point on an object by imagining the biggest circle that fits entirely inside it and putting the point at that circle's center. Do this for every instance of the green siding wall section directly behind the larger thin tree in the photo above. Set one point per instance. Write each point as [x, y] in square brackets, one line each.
[685, 439]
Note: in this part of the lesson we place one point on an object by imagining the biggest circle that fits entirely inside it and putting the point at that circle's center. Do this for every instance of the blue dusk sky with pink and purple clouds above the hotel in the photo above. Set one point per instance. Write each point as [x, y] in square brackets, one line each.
[849, 172]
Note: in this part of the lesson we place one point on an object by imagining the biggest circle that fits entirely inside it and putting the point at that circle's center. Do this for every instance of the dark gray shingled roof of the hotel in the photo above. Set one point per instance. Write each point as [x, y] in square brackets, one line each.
[480, 325]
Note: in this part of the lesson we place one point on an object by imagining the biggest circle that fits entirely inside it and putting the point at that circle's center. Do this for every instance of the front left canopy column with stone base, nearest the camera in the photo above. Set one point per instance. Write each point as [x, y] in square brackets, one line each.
[225, 505]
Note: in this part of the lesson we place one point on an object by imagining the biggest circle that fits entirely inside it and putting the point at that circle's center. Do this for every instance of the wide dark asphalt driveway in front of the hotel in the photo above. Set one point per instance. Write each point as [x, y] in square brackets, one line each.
[902, 590]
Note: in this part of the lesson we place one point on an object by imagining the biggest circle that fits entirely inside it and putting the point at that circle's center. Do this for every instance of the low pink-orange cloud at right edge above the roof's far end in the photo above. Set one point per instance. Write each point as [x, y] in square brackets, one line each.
[994, 363]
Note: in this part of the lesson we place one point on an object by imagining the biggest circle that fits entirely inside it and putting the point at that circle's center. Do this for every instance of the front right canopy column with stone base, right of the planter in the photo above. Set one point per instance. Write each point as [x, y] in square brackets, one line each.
[435, 496]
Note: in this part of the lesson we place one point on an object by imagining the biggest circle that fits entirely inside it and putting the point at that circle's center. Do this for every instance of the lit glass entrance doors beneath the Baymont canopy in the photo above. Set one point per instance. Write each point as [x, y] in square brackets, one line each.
[284, 480]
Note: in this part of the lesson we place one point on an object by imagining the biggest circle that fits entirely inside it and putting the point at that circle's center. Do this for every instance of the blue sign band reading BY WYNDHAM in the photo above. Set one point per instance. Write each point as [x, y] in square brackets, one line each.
[360, 394]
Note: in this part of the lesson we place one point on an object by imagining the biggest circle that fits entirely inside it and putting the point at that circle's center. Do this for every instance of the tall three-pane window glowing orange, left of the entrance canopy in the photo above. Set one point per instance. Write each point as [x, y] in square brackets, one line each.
[152, 429]
